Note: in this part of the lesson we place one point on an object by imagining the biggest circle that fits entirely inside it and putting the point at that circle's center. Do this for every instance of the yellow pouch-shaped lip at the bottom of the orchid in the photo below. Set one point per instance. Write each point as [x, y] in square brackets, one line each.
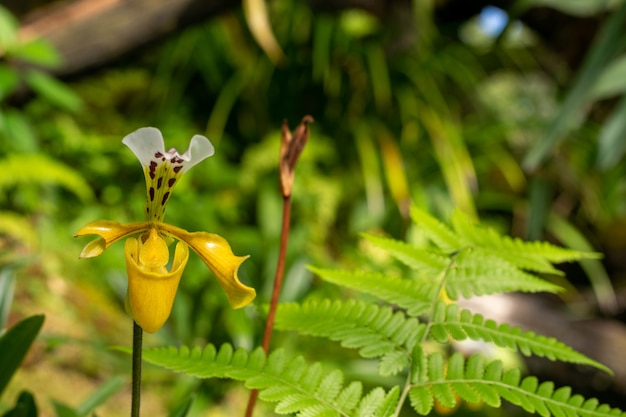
[151, 294]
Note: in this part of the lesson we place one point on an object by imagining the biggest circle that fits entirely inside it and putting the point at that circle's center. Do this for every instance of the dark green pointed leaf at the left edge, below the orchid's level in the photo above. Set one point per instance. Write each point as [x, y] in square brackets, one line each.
[14, 344]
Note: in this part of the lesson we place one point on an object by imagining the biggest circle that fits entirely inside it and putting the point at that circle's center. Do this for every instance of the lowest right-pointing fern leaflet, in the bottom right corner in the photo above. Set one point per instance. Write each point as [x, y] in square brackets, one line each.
[476, 380]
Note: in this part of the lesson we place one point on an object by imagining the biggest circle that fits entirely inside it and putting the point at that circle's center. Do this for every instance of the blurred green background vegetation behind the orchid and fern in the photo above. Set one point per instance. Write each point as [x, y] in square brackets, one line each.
[445, 114]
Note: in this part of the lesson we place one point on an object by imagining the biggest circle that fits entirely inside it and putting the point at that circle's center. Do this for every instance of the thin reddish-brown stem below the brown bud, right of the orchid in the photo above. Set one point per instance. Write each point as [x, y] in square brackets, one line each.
[278, 283]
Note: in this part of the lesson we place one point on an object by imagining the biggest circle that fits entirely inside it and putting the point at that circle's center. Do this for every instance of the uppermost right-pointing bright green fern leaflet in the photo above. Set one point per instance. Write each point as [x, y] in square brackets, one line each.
[533, 256]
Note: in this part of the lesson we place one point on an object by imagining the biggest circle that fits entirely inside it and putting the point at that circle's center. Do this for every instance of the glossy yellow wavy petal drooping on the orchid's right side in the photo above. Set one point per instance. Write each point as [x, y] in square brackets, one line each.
[216, 253]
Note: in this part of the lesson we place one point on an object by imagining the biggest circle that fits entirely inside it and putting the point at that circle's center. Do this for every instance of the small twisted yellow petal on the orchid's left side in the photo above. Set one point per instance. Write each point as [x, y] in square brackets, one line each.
[109, 232]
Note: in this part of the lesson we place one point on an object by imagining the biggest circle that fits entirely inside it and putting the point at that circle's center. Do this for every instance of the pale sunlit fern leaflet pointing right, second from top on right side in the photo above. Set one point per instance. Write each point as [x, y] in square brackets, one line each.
[479, 274]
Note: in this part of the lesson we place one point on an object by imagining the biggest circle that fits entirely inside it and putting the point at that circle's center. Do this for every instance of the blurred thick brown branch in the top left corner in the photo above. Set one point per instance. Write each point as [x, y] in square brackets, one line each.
[91, 33]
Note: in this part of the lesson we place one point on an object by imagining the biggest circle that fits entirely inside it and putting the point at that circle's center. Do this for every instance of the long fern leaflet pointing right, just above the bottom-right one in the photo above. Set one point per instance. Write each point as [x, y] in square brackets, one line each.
[449, 321]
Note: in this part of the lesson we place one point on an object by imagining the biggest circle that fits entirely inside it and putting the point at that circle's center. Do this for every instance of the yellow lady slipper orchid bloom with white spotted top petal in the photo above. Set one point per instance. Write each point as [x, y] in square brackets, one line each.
[151, 286]
